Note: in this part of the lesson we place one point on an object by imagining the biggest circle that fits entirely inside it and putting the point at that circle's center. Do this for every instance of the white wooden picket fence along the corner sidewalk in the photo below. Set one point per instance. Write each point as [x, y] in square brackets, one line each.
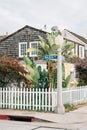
[42, 100]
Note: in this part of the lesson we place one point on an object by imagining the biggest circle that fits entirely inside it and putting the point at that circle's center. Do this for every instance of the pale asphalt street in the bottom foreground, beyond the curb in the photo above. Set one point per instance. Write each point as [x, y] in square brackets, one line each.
[15, 125]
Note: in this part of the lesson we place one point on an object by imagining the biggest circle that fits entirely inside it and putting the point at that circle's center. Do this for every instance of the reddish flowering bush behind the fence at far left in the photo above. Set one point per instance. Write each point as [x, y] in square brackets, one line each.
[11, 71]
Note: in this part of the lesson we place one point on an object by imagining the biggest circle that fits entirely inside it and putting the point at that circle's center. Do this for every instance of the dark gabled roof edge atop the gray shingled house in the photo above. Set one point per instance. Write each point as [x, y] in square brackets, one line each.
[4, 38]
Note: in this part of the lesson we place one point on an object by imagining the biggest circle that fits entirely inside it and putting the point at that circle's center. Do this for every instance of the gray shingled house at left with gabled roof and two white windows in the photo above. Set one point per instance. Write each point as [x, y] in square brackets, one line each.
[16, 44]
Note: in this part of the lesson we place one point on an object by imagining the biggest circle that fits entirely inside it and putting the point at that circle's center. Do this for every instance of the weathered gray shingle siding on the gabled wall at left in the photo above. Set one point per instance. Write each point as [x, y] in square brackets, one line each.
[10, 45]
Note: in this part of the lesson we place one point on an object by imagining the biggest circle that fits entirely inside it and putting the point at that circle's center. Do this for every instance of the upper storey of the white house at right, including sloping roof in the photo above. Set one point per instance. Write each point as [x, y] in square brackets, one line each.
[80, 43]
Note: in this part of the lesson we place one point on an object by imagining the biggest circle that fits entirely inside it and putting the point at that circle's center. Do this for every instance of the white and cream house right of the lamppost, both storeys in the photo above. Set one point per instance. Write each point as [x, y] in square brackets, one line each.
[80, 50]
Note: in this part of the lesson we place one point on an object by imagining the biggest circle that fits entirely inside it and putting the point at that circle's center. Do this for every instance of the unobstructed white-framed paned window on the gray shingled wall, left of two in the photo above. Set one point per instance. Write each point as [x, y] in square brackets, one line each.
[22, 49]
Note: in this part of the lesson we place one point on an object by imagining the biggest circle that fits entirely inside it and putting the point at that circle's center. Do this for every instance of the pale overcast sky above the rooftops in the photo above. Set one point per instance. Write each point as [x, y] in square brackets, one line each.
[66, 14]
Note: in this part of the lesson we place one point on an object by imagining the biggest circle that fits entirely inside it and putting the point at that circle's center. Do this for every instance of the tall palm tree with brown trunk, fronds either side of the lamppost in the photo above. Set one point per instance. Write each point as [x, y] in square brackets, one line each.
[49, 47]
